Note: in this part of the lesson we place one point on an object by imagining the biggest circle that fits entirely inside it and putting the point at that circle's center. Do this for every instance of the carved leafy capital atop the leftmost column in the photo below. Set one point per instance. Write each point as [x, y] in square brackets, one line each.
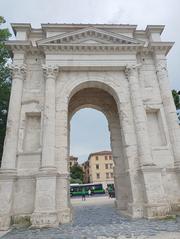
[18, 70]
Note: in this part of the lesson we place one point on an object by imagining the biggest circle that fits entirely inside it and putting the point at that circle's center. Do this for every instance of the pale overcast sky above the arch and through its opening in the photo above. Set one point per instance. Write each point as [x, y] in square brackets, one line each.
[140, 12]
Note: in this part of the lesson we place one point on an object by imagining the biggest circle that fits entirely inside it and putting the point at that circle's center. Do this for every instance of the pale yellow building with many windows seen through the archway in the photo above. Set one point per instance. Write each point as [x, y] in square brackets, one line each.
[99, 168]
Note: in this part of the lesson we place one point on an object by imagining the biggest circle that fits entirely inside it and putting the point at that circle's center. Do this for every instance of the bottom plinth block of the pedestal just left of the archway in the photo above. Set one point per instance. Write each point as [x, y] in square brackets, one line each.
[44, 219]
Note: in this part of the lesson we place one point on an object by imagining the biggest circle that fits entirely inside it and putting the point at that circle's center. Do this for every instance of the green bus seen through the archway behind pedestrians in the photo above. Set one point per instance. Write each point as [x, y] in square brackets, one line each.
[76, 189]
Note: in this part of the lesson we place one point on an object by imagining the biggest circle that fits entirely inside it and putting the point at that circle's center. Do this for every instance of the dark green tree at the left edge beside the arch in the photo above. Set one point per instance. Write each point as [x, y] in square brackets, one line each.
[5, 82]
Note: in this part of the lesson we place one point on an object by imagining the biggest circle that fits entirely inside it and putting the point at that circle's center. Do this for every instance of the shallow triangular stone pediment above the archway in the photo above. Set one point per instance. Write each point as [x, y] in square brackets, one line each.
[89, 36]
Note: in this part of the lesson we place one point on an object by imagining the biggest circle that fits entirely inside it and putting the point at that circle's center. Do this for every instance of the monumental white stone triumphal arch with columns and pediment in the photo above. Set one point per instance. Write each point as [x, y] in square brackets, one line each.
[116, 69]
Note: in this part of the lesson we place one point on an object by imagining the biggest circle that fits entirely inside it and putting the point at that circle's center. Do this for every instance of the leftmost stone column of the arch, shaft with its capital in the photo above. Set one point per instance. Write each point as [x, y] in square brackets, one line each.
[11, 139]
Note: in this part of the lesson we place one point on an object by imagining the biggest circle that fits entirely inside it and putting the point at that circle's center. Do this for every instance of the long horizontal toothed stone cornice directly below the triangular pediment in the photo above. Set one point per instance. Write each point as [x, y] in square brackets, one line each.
[161, 47]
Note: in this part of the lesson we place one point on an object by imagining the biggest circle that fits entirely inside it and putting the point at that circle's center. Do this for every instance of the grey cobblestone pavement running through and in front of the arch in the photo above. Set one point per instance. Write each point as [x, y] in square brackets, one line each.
[100, 221]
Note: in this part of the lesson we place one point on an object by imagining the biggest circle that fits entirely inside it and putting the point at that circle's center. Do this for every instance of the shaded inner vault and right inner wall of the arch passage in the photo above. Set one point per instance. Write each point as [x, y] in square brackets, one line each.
[99, 98]
